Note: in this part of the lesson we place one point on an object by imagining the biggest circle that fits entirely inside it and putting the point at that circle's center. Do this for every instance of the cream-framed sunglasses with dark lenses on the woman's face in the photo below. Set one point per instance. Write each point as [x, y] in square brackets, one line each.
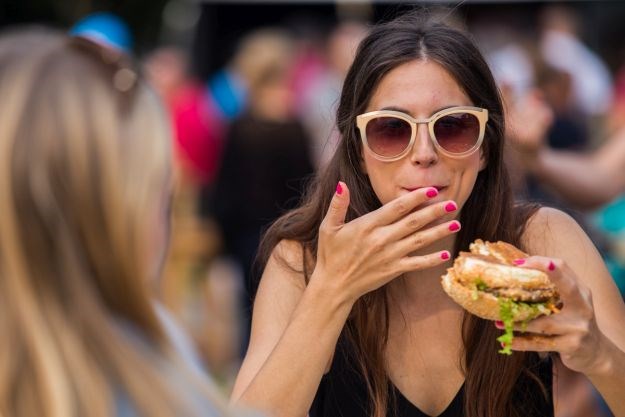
[389, 135]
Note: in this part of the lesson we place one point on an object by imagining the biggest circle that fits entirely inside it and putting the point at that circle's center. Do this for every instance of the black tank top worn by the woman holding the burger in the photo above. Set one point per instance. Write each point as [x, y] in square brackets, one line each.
[343, 393]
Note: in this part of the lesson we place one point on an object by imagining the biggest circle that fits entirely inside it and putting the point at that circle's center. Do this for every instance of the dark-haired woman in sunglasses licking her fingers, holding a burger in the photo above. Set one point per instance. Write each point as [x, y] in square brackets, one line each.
[350, 318]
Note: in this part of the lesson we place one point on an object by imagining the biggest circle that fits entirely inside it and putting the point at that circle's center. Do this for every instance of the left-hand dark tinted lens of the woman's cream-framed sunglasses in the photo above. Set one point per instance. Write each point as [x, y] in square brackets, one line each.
[388, 136]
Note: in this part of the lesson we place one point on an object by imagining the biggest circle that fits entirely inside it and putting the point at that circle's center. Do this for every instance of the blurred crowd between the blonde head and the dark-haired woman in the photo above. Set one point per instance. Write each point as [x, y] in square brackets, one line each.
[247, 140]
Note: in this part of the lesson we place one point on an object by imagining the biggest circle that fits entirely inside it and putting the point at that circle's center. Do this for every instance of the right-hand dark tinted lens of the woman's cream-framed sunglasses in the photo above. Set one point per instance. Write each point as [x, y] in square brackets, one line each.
[457, 133]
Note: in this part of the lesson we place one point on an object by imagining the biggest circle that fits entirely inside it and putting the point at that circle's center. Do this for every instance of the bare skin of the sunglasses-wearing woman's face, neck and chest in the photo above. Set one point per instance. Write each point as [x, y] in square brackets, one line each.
[421, 88]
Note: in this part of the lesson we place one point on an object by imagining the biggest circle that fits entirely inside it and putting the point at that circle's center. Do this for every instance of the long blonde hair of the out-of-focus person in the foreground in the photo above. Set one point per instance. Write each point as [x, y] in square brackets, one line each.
[83, 167]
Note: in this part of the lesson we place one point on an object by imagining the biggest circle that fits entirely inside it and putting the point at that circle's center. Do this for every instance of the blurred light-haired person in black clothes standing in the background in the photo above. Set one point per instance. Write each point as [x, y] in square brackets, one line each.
[266, 157]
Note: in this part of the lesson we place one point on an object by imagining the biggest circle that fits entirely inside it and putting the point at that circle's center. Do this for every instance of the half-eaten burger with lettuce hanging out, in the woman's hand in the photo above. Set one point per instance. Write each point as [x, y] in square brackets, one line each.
[487, 283]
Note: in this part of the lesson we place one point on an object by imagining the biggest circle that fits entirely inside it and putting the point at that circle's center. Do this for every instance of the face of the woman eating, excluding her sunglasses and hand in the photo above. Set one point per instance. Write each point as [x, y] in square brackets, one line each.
[420, 88]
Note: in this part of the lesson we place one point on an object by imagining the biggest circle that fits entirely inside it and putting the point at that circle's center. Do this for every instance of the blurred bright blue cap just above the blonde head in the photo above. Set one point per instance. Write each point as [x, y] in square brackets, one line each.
[105, 28]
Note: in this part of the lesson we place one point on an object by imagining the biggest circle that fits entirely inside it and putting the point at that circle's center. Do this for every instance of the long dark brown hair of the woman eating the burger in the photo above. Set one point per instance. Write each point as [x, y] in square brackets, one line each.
[489, 213]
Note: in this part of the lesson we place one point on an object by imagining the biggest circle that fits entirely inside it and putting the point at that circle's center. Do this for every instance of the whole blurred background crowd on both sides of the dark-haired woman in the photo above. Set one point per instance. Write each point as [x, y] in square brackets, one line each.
[247, 140]
